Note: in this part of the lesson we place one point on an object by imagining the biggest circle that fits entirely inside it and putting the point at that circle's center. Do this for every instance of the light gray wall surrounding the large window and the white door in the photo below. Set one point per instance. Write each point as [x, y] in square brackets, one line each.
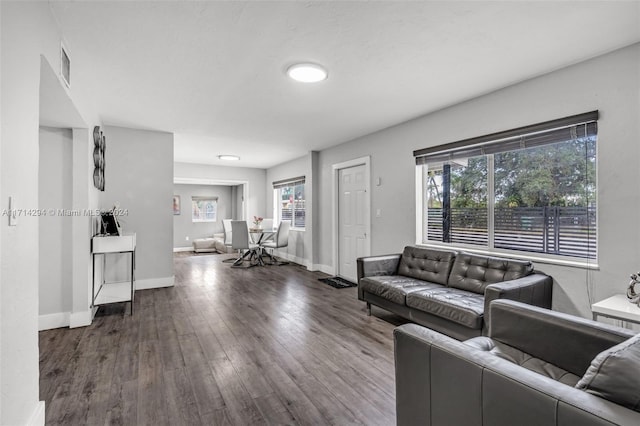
[609, 83]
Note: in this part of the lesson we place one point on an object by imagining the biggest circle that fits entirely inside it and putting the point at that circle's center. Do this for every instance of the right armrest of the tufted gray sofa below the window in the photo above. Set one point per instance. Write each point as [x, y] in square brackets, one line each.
[534, 289]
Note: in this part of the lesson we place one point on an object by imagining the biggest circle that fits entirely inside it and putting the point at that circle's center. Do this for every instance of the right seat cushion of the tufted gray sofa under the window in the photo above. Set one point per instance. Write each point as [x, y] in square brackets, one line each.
[460, 306]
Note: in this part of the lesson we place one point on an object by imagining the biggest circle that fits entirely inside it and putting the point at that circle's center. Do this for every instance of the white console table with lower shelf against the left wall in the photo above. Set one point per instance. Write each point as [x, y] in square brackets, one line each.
[117, 292]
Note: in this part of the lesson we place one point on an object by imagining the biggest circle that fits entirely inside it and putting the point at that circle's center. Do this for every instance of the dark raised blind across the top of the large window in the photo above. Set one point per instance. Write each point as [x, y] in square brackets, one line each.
[548, 132]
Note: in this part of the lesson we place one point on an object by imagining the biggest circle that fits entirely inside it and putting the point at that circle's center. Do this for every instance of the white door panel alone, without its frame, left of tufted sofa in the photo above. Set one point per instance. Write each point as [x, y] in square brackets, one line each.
[353, 219]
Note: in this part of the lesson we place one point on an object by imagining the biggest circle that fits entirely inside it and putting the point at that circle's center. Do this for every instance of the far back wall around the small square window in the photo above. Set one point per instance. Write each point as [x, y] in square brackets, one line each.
[183, 225]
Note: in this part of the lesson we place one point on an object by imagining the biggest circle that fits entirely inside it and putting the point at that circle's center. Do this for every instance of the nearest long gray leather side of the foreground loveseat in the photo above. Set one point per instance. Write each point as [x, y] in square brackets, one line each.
[442, 381]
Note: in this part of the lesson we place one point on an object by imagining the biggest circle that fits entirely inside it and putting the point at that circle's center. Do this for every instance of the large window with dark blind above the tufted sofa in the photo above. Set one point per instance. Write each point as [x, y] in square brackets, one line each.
[531, 189]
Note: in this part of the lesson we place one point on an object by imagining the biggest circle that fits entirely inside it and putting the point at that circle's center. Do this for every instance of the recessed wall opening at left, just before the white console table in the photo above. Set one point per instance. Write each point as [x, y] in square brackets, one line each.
[64, 264]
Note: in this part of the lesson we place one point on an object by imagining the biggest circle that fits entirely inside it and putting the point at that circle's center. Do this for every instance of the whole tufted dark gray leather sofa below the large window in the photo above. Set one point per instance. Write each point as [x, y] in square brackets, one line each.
[448, 291]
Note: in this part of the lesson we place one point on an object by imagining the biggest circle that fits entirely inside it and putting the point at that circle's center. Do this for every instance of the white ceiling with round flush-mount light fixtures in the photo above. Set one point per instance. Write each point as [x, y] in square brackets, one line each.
[213, 72]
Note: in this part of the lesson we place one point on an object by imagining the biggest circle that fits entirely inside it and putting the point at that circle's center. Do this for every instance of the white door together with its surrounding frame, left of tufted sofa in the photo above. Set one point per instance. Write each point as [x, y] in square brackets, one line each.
[352, 215]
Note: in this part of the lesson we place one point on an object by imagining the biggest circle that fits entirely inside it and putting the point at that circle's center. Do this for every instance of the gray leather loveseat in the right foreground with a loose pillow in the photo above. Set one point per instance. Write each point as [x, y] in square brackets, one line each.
[536, 367]
